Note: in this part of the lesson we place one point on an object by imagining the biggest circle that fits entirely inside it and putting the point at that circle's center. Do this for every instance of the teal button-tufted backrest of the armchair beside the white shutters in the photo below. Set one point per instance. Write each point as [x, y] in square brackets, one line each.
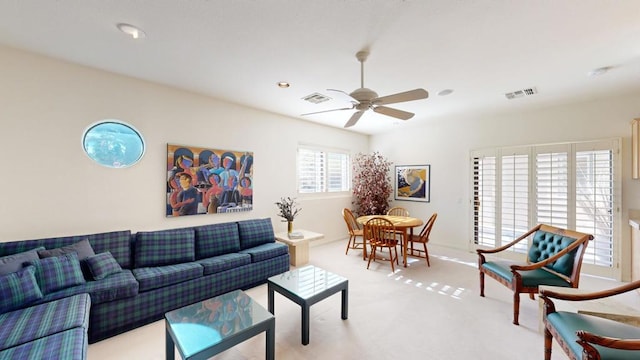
[545, 245]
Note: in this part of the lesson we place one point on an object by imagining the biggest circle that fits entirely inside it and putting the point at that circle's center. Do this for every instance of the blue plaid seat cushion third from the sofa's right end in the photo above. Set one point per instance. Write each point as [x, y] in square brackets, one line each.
[161, 276]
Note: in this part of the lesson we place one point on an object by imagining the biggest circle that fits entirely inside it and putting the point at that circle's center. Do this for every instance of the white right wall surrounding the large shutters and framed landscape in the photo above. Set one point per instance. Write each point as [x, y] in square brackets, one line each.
[445, 143]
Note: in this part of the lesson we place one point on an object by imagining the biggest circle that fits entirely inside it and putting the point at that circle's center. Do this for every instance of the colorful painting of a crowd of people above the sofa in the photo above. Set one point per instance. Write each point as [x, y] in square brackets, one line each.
[208, 181]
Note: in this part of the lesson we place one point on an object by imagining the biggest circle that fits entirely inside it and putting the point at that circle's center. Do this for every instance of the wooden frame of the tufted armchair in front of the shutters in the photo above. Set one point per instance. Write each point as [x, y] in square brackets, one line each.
[516, 283]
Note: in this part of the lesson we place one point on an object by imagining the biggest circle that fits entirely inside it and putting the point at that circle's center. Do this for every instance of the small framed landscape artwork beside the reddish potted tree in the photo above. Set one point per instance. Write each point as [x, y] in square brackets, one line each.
[413, 182]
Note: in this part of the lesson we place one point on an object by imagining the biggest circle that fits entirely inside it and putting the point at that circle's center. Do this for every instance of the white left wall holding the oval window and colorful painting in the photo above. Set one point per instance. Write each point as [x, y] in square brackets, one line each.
[51, 188]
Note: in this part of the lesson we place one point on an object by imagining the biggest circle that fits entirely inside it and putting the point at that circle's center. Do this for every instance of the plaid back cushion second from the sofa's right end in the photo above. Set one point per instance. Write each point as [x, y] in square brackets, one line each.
[217, 239]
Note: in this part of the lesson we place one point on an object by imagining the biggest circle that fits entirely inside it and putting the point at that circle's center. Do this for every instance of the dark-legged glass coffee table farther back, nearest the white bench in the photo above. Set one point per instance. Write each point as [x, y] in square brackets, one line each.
[306, 286]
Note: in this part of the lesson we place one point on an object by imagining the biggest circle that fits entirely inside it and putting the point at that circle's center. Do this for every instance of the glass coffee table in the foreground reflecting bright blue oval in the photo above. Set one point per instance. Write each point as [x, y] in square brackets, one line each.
[209, 327]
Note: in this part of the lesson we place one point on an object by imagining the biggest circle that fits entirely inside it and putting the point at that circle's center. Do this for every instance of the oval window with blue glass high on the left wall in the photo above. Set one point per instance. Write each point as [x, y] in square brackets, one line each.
[113, 144]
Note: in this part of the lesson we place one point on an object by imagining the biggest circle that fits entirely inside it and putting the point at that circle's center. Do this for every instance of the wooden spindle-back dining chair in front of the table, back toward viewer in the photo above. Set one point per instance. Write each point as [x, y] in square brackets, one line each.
[380, 233]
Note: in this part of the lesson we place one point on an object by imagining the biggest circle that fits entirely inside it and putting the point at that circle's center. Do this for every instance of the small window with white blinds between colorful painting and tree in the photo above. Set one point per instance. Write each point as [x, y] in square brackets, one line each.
[322, 171]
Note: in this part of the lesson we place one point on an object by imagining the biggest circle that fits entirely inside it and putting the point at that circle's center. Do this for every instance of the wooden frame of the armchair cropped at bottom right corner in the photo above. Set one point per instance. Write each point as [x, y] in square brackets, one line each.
[586, 339]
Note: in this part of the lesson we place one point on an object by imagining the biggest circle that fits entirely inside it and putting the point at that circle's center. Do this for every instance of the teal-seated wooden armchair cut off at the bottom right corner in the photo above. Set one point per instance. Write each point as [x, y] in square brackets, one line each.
[588, 337]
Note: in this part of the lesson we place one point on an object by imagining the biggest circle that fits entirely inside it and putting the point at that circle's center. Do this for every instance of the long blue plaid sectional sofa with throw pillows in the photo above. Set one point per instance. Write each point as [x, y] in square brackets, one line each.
[59, 294]
